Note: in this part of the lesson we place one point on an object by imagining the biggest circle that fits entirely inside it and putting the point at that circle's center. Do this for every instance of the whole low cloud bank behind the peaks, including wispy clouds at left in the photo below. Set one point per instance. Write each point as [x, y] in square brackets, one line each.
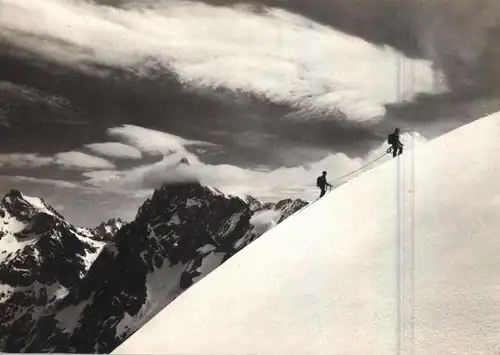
[102, 183]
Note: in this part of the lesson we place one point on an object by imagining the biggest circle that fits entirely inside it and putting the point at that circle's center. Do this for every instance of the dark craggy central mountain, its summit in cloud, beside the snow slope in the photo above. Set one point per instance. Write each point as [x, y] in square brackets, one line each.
[179, 235]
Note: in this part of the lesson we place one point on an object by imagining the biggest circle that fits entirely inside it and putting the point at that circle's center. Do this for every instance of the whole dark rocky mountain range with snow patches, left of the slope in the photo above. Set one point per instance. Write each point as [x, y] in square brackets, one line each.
[65, 288]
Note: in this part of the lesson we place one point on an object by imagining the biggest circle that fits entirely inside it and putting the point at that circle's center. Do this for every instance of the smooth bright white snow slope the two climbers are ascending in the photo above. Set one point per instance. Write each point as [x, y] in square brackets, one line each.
[334, 288]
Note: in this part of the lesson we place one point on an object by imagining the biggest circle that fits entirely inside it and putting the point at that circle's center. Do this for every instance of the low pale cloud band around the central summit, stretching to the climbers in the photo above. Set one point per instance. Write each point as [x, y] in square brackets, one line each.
[271, 185]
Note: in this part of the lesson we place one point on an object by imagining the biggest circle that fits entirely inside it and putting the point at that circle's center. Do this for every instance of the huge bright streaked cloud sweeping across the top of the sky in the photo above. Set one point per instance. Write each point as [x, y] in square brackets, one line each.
[284, 58]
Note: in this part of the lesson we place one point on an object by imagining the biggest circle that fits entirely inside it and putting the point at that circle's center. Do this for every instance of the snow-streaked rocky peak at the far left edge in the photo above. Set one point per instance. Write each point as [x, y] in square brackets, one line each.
[41, 258]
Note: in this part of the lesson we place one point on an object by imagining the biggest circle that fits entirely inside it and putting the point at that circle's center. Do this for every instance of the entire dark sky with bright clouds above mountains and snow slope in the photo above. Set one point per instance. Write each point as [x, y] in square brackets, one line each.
[239, 90]
